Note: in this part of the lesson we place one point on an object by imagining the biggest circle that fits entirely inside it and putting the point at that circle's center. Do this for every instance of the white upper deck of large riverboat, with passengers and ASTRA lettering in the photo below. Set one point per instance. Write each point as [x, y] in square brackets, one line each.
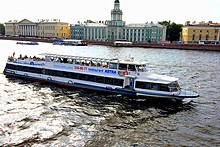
[99, 66]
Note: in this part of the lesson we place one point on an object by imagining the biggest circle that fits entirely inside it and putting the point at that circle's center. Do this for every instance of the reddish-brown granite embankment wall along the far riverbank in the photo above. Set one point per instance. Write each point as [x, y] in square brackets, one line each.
[207, 47]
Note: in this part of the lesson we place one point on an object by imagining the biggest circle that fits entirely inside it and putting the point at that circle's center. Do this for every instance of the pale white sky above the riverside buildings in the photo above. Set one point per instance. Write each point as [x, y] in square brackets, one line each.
[134, 11]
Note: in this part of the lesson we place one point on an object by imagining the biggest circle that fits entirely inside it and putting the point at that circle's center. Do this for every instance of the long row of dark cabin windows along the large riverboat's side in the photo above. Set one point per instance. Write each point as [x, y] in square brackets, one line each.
[85, 77]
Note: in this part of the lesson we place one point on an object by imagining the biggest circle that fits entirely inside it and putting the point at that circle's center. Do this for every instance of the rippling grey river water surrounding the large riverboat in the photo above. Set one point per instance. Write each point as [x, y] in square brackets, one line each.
[36, 114]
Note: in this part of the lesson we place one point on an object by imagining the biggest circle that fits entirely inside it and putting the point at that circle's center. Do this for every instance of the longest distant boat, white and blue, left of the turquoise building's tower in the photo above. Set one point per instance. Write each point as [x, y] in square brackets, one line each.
[69, 42]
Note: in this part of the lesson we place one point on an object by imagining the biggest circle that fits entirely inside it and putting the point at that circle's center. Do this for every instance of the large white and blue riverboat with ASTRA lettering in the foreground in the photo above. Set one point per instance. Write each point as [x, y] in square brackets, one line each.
[125, 77]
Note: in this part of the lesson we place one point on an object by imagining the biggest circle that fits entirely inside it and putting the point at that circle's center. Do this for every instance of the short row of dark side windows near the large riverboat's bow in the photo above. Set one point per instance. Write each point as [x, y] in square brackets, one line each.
[152, 86]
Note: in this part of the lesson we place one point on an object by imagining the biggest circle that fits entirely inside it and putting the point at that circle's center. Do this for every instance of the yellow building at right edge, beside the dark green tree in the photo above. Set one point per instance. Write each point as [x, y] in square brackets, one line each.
[200, 32]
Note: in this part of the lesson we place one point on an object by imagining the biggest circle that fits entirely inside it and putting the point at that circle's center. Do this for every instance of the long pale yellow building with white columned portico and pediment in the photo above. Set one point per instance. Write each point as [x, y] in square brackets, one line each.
[43, 28]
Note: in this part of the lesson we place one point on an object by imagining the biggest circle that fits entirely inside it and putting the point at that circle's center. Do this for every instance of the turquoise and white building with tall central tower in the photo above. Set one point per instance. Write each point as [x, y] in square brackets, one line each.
[116, 28]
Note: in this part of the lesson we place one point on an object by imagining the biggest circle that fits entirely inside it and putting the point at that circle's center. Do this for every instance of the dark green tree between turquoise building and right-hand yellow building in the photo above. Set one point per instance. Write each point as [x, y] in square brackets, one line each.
[173, 30]
